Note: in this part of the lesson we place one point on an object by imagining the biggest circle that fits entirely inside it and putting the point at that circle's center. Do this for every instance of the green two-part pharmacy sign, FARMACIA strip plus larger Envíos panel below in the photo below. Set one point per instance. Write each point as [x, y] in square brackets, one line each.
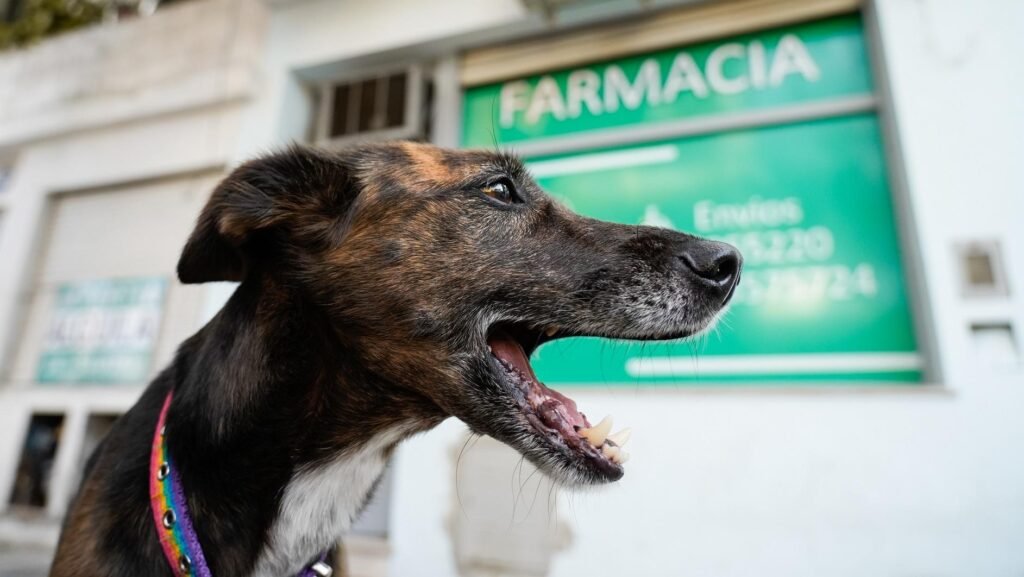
[823, 298]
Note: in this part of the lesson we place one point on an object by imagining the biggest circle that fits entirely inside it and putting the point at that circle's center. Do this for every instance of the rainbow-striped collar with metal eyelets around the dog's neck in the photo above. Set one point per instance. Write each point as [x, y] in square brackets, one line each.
[170, 514]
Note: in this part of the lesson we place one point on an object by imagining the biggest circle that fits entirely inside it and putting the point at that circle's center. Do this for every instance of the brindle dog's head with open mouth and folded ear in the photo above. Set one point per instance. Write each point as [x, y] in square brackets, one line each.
[445, 270]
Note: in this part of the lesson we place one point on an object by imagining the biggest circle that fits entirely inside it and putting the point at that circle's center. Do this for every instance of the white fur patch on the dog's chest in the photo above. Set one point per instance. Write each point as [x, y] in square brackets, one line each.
[320, 506]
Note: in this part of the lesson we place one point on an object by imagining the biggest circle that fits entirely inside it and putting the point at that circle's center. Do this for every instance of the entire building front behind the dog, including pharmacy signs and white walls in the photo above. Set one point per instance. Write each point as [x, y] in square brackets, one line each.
[856, 414]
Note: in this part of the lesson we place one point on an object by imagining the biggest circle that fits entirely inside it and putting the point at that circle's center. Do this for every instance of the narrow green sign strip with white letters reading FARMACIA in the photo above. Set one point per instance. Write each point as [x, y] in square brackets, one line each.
[806, 64]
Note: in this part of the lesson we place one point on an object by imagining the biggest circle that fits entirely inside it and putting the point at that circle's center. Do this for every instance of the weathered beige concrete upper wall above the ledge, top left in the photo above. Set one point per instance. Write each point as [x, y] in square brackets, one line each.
[194, 55]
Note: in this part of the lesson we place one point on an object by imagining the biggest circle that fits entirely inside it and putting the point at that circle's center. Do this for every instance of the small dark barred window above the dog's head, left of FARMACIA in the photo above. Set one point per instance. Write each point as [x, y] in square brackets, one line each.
[385, 106]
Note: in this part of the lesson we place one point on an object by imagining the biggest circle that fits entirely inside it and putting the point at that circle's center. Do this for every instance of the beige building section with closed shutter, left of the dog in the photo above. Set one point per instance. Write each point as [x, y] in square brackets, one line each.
[112, 139]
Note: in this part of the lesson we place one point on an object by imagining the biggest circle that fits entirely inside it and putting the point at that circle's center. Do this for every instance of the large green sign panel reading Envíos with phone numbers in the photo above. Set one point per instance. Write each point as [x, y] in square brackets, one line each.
[823, 294]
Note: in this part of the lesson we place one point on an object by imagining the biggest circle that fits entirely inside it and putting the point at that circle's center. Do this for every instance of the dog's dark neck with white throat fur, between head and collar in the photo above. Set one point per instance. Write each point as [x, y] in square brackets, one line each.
[282, 438]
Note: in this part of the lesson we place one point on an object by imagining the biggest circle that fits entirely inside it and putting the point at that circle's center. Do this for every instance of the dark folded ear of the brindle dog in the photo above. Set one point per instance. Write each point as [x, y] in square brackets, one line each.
[261, 195]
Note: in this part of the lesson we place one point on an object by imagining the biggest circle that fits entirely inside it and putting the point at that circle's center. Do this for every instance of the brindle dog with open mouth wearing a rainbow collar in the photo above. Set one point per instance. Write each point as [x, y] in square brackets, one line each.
[382, 291]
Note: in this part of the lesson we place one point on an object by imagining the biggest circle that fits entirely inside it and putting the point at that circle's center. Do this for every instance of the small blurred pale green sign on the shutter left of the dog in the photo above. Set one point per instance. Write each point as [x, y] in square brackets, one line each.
[103, 332]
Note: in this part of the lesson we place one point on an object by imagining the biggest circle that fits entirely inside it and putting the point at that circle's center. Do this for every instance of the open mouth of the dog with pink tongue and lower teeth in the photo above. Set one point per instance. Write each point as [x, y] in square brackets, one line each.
[553, 417]
